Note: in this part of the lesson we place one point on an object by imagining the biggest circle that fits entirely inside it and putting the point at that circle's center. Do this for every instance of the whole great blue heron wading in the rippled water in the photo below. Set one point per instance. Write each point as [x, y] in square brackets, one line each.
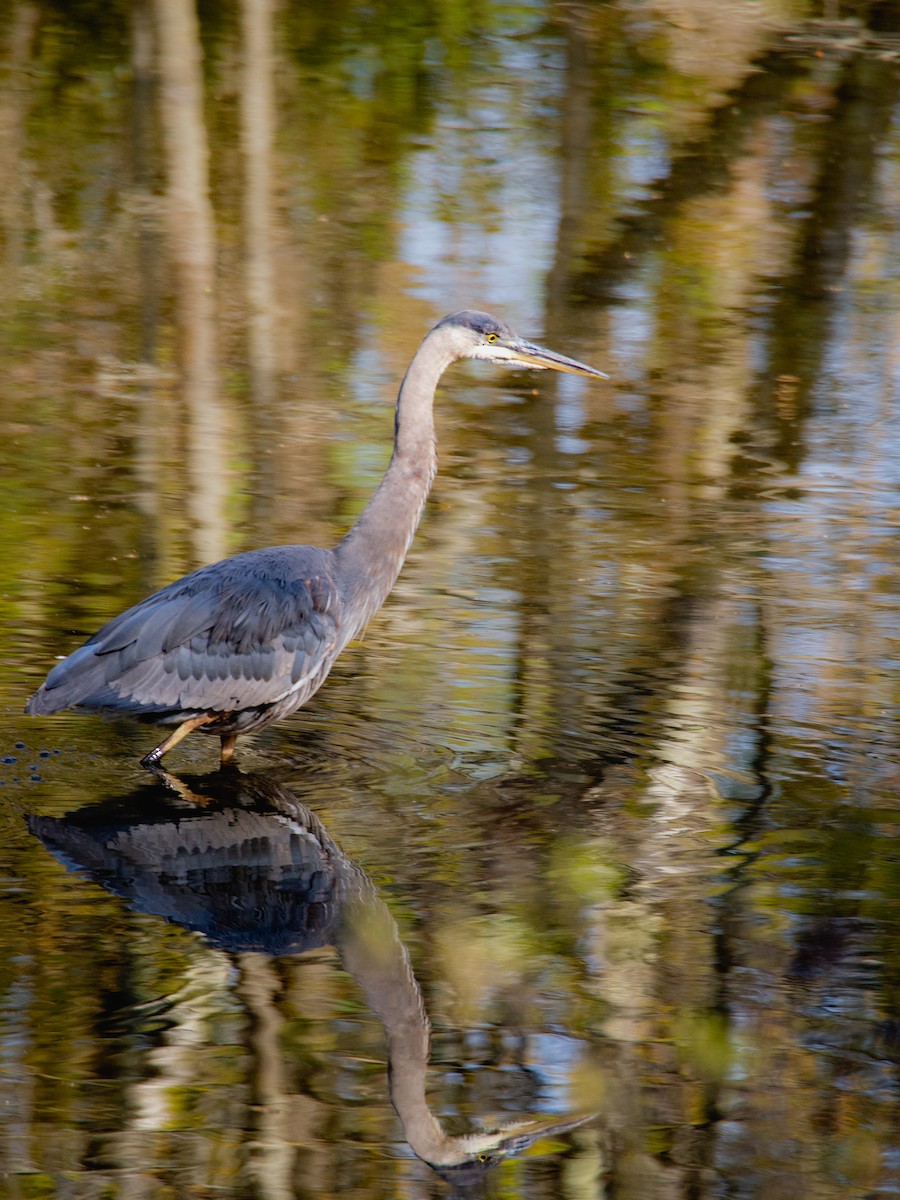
[237, 645]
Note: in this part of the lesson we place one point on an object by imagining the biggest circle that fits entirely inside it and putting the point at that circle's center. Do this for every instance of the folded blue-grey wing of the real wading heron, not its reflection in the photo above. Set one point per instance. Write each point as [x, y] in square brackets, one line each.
[241, 634]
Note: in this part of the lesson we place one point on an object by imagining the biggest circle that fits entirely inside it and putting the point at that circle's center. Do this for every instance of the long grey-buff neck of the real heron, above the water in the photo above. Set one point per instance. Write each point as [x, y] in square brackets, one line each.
[370, 557]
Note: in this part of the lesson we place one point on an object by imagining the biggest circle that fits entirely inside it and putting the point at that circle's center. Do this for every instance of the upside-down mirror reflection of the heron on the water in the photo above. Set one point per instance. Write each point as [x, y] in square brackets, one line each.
[241, 860]
